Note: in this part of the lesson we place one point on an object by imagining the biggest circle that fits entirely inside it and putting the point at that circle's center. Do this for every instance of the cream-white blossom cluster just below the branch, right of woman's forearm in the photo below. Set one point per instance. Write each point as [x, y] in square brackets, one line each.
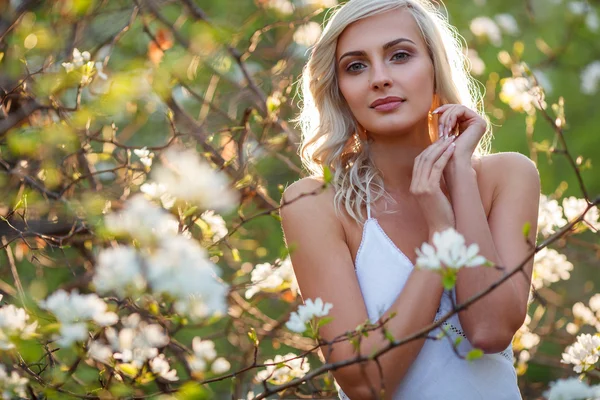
[549, 267]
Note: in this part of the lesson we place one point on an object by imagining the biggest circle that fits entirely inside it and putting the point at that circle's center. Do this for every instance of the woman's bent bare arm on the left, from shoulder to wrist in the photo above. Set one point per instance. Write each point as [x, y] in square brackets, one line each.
[324, 268]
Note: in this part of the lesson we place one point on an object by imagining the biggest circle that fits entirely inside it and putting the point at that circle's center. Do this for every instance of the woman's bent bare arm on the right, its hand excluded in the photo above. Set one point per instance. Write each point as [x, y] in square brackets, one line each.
[491, 322]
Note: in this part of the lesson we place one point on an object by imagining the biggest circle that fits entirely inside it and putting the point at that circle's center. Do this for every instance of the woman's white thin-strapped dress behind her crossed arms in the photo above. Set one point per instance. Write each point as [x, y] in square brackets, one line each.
[437, 373]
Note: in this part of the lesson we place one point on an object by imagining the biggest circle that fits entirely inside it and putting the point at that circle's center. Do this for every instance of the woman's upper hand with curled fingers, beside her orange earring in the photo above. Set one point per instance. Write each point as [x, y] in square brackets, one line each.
[470, 126]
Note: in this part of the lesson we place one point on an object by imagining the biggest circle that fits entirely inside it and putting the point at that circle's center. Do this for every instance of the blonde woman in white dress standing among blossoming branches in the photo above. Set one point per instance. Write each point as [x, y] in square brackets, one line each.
[389, 109]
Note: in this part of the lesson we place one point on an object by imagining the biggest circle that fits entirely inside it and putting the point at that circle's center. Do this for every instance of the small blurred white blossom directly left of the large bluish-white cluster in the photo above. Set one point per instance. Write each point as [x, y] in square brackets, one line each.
[119, 271]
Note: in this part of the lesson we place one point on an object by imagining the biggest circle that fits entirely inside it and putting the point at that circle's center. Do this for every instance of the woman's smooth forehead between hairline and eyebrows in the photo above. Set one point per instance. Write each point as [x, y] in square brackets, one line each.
[375, 31]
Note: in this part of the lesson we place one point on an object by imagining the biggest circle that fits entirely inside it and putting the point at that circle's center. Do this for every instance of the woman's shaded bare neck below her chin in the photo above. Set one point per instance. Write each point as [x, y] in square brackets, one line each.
[394, 156]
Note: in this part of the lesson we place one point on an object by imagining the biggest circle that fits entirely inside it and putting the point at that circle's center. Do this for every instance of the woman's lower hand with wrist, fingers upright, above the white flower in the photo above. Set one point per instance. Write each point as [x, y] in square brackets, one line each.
[425, 184]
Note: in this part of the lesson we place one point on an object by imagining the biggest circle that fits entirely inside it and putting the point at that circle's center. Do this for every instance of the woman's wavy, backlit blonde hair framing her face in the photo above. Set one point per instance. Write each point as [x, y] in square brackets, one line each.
[329, 130]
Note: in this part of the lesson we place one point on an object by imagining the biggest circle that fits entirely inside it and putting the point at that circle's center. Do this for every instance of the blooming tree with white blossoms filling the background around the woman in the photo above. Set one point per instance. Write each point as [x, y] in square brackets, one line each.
[144, 146]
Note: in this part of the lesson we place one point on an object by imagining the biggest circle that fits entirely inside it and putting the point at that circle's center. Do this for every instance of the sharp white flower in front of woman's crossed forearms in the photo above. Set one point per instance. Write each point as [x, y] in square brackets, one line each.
[450, 251]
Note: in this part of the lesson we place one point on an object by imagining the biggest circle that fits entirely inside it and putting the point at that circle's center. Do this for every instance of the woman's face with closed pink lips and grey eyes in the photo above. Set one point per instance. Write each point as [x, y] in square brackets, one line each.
[385, 72]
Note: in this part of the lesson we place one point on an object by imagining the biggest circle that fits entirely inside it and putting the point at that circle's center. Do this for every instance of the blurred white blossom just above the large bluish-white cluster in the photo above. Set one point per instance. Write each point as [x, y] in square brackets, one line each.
[143, 221]
